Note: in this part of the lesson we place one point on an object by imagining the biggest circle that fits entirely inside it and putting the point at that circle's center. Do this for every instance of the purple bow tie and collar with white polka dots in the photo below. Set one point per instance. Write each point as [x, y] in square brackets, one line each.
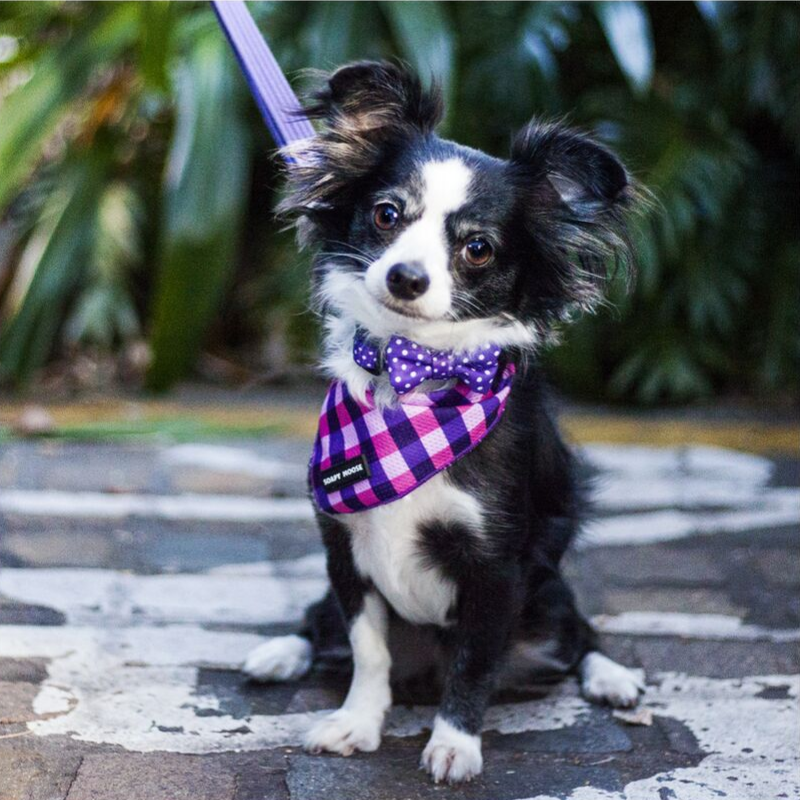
[408, 364]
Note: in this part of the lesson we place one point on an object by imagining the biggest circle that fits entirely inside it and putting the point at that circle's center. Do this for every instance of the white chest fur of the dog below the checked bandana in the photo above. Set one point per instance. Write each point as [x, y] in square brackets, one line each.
[386, 548]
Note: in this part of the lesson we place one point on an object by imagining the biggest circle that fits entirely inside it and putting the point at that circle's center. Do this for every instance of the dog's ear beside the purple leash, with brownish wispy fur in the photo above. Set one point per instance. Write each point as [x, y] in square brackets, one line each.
[365, 108]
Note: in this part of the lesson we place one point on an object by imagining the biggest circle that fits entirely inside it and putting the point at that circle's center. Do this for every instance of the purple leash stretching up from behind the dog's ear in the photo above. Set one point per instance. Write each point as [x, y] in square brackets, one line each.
[278, 103]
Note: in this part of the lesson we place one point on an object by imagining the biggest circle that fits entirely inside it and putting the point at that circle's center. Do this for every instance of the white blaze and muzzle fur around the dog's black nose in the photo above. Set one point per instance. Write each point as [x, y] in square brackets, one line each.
[445, 189]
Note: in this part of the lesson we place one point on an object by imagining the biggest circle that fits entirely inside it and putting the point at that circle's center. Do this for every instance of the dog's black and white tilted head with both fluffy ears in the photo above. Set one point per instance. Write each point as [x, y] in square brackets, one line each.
[440, 242]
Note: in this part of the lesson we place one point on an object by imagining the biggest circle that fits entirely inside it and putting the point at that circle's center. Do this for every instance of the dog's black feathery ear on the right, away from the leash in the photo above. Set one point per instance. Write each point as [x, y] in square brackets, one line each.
[577, 196]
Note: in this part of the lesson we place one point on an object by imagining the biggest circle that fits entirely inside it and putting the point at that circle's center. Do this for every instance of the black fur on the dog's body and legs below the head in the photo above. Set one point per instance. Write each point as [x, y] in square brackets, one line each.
[511, 589]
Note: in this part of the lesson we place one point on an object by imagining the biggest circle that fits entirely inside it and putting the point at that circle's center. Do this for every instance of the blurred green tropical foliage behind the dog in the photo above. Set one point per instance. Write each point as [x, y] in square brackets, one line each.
[137, 244]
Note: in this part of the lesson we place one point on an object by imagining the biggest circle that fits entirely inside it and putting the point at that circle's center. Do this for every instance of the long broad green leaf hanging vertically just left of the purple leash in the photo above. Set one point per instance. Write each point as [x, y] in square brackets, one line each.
[204, 192]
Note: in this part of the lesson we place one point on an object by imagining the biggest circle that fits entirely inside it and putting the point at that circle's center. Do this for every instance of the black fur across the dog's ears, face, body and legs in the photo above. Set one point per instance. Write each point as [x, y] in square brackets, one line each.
[555, 214]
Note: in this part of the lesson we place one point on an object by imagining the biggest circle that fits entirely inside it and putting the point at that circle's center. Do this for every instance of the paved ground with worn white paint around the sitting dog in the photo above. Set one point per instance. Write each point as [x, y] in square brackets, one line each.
[137, 576]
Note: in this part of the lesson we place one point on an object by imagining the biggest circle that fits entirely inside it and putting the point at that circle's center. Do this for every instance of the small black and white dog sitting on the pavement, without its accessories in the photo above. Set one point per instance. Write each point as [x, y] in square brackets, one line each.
[452, 249]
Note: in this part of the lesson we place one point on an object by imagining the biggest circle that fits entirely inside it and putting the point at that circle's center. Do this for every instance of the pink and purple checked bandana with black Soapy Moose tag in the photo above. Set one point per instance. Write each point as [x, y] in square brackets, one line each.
[366, 456]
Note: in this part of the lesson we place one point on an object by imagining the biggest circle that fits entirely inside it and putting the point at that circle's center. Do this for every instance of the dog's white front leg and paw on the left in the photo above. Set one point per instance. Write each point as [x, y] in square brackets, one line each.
[357, 724]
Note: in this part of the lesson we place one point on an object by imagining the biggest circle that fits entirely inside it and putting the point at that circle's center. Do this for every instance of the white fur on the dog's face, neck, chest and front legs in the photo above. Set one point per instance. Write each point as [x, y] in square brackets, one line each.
[385, 539]
